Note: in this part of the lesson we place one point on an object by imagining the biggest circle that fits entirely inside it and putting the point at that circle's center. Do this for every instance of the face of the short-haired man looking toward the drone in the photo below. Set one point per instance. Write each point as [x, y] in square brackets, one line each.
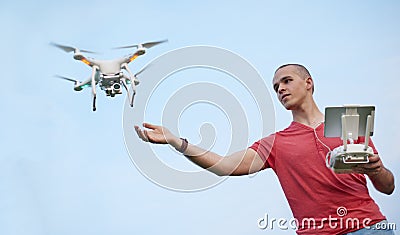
[290, 87]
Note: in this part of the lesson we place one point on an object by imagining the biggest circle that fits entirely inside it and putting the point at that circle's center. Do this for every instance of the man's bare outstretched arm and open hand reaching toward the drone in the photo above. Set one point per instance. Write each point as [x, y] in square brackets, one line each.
[240, 163]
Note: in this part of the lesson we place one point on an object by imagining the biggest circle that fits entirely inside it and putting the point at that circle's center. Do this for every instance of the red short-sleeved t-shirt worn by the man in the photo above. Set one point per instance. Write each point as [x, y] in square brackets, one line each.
[317, 196]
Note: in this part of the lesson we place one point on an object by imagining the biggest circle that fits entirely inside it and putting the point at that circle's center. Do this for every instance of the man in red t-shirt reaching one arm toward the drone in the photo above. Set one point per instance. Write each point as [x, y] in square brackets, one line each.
[297, 156]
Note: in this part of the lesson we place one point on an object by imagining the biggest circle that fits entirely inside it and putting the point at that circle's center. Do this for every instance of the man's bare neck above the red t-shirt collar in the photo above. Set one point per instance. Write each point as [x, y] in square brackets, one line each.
[308, 114]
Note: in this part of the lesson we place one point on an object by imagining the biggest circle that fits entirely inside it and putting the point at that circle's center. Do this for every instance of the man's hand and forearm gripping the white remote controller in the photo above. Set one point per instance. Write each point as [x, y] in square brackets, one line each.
[380, 176]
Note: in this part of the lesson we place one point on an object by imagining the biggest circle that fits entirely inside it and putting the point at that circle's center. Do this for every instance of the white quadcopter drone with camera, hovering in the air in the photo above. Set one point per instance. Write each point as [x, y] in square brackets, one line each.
[108, 74]
